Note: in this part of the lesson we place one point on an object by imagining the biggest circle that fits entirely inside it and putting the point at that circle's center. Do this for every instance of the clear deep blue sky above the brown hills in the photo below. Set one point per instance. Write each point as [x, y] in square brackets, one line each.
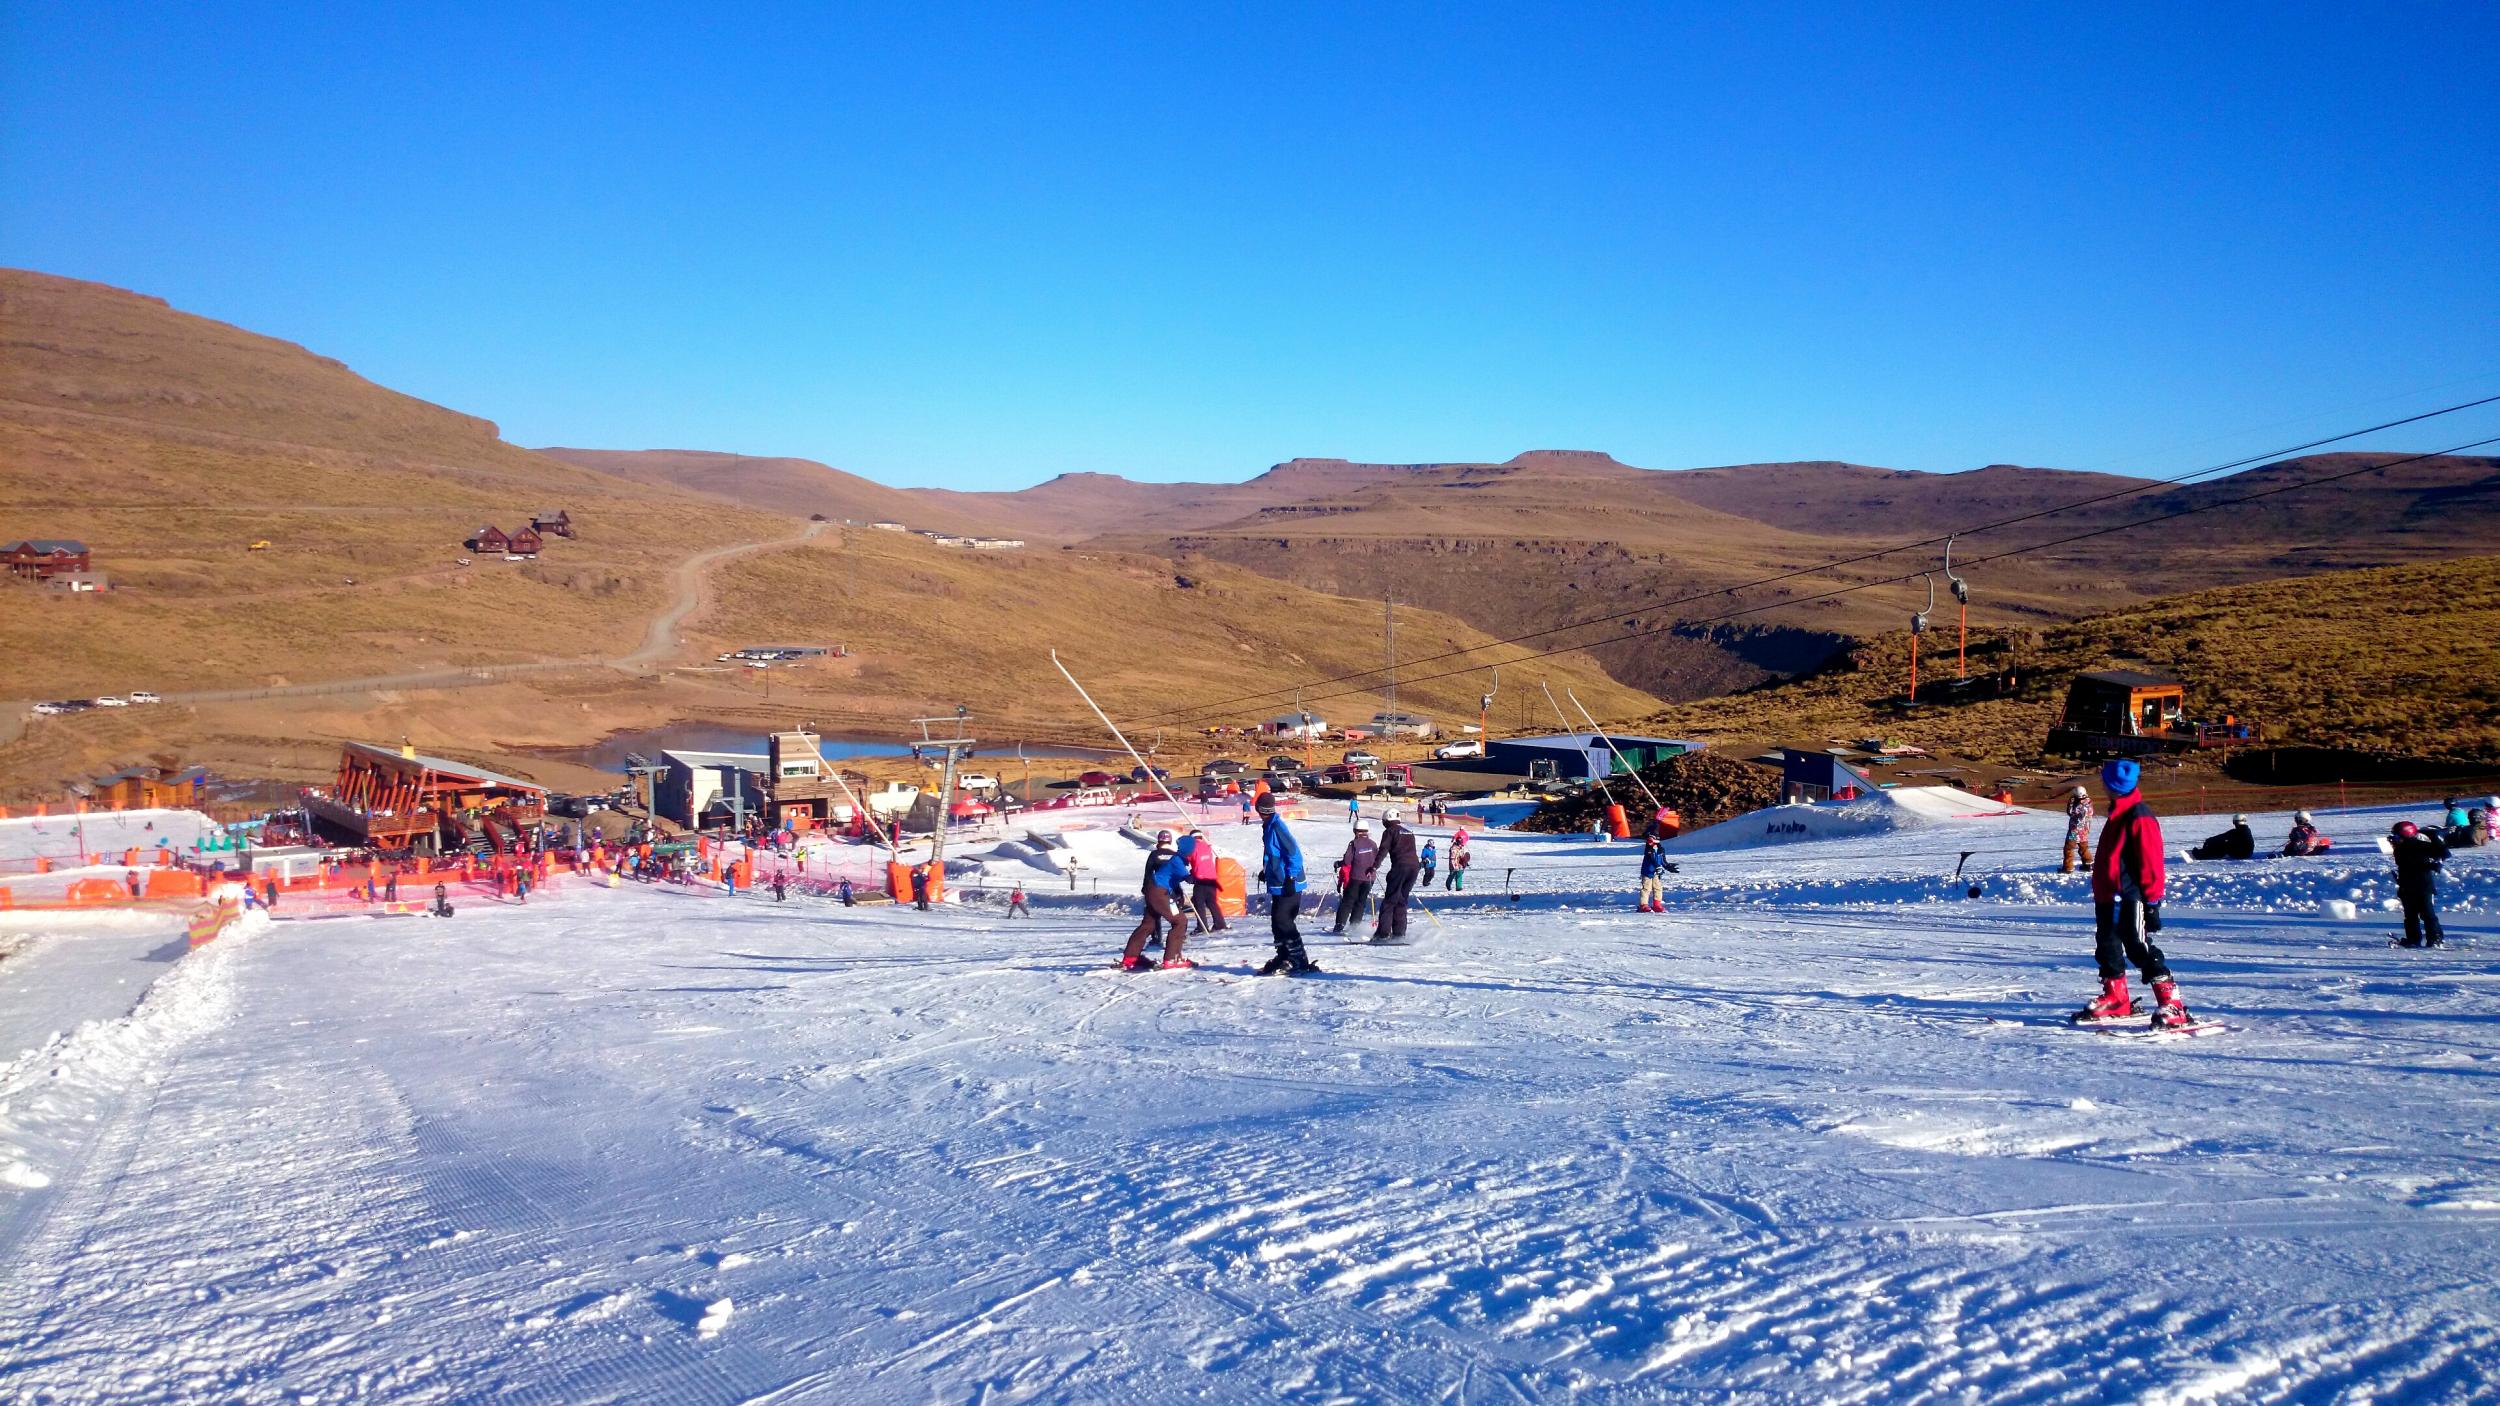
[979, 246]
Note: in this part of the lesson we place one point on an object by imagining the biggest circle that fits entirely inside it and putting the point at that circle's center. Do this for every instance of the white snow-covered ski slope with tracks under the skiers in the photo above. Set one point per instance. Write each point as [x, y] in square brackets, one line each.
[1811, 1137]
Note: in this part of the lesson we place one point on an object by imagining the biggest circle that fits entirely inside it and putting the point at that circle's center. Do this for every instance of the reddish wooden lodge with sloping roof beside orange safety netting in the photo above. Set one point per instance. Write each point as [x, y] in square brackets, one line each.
[401, 799]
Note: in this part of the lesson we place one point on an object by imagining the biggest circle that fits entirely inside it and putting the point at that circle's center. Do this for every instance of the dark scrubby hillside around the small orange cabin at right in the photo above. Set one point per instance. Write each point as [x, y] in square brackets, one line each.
[2389, 659]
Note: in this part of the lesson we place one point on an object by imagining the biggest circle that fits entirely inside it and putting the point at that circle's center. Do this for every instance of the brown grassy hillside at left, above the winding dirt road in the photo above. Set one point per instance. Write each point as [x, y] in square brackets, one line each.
[171, 444]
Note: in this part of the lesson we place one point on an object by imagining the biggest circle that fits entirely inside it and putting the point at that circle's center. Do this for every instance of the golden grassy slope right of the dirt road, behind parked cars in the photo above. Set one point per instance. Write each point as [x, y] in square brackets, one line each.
[939, 627]
